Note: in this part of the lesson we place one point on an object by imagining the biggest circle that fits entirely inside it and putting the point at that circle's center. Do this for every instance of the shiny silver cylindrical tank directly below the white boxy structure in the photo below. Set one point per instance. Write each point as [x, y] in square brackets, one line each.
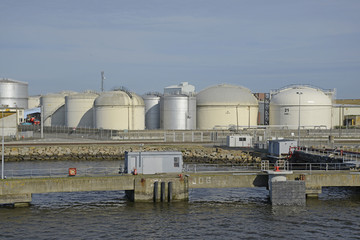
[178, 112]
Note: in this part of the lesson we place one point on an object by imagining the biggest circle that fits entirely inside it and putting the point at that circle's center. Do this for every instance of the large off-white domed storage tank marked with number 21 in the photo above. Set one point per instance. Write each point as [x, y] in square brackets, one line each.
[312, 106]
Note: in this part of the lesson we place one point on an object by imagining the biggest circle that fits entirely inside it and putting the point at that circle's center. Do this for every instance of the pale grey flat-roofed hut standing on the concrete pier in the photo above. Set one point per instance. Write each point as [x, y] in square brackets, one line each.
[153, 162]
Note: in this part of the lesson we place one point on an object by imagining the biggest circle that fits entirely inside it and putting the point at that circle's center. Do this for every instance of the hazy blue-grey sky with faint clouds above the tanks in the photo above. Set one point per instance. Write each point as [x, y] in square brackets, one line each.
[146, 45]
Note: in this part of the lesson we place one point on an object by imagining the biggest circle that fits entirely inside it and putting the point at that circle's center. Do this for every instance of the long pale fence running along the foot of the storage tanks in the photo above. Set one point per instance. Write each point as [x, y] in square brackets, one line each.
[308, 137]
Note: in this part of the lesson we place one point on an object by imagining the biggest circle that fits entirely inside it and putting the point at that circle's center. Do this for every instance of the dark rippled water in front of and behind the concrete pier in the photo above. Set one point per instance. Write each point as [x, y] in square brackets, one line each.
[210, 214]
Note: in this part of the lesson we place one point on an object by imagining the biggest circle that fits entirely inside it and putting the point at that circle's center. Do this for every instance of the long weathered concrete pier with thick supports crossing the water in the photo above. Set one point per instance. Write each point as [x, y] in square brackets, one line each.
[174, 187]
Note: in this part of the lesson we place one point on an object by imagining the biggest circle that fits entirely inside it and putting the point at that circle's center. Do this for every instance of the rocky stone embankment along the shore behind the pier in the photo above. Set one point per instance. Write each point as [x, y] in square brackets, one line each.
[195, 154]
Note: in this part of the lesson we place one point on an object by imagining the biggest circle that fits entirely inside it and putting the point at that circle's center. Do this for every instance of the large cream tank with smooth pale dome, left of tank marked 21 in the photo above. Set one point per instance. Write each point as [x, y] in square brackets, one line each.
[226, 106]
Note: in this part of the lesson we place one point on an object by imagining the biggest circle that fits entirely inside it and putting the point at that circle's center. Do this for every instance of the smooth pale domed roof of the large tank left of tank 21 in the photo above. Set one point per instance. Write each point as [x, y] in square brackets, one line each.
[225, 94]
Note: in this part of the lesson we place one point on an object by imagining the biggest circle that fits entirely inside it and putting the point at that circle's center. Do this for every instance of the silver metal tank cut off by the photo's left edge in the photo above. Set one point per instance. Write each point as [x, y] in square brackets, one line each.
[13, 93]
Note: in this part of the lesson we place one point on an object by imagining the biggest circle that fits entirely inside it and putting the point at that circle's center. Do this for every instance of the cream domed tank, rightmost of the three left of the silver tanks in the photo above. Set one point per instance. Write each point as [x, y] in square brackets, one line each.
[119, 110]
